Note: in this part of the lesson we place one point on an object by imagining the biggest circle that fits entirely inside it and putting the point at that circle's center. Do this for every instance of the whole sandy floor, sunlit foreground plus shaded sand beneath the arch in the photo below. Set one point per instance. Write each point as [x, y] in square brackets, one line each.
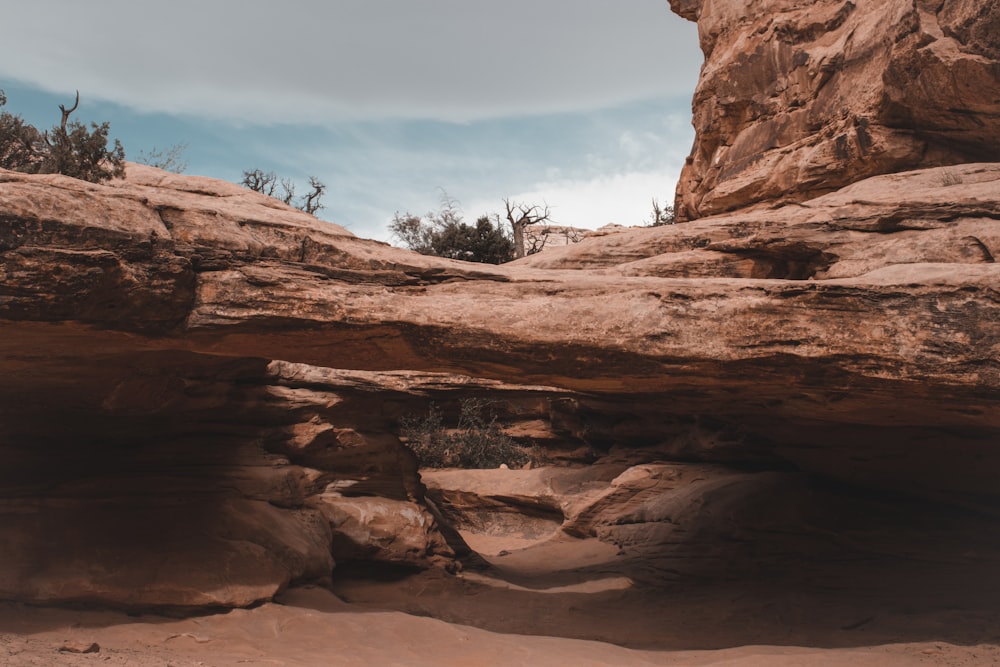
[533, 606]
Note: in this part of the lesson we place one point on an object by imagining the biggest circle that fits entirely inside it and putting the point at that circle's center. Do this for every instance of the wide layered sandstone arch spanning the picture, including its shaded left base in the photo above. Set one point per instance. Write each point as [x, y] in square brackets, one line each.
[201, 386]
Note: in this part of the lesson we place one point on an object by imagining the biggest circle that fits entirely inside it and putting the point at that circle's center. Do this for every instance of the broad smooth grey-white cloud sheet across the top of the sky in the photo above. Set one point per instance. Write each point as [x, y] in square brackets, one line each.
[301, 61]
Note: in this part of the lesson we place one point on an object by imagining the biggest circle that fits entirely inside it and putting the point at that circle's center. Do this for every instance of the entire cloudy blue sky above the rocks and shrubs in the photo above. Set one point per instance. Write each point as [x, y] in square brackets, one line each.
[583, 105]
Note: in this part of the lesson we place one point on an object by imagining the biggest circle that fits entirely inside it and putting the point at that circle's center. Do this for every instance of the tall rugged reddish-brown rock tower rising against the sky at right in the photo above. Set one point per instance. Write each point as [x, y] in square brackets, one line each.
[796, 99]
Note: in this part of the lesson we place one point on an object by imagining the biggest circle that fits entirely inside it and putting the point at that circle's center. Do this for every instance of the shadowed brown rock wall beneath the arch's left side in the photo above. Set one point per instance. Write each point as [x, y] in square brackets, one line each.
[144, 476]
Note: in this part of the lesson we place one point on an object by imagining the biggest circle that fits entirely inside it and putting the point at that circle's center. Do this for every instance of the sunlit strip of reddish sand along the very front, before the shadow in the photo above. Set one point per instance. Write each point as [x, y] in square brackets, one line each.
[314, 628]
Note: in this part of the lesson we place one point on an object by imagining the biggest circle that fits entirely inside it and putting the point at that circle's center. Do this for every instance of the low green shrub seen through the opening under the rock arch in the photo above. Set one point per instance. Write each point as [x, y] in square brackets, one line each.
[478, 441]
